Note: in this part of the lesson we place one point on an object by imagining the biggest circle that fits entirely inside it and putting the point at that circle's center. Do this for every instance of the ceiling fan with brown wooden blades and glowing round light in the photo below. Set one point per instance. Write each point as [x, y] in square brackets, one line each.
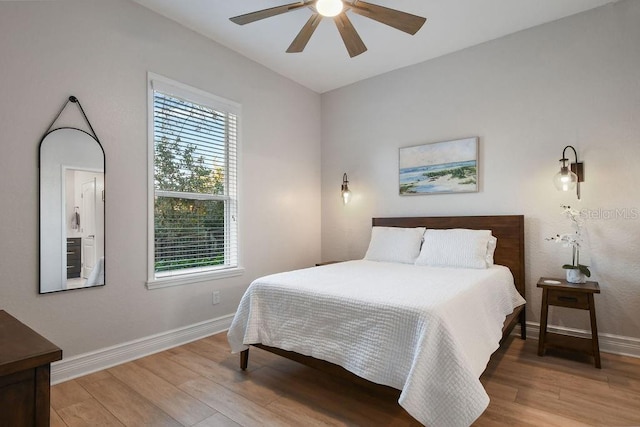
[337, 9]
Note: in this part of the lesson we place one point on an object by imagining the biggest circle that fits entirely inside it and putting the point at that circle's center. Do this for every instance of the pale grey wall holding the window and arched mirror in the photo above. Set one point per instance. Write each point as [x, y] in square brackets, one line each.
[101, 52]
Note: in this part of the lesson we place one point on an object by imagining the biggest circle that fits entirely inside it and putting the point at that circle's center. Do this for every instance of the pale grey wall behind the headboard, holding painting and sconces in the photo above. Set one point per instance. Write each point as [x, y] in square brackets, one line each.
[574, 81]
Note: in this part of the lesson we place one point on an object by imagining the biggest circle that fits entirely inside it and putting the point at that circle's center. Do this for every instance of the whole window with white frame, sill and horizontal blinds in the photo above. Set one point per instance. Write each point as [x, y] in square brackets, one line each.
[193, 197]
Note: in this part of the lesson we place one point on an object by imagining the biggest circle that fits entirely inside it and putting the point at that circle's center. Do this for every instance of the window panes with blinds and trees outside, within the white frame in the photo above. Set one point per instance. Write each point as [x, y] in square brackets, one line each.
[194, 181]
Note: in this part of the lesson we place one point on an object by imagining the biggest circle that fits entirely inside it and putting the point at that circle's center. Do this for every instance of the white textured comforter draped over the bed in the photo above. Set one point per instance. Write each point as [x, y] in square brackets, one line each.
[424, 330]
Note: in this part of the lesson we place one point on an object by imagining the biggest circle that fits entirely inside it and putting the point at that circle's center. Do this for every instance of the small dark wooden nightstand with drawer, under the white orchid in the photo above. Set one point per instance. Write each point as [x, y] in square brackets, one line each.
[560, 293]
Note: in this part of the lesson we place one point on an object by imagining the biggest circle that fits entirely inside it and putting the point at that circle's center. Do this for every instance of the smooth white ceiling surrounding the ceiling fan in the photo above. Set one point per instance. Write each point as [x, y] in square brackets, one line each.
[324, 65]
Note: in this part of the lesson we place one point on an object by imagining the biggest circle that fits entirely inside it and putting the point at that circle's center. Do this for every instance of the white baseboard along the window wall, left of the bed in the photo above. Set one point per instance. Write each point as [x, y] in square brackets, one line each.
[83, 364]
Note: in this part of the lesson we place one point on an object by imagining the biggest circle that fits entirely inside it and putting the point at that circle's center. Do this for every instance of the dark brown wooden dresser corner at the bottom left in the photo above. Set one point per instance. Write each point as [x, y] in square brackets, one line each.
[25, 371]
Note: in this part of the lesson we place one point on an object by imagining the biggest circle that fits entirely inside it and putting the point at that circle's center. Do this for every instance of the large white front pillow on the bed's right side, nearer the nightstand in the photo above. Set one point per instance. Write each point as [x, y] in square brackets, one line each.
[455, 248]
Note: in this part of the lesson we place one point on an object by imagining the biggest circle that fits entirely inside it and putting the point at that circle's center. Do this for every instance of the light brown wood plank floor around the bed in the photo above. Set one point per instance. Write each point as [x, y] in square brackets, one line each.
[200, 384]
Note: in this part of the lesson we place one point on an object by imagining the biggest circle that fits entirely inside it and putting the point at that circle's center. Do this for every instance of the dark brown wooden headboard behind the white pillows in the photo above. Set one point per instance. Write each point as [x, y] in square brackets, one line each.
[509, 230]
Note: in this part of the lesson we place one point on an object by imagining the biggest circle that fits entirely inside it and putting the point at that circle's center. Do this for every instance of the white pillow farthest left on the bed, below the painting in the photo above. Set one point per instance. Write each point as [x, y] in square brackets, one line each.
[395, 244]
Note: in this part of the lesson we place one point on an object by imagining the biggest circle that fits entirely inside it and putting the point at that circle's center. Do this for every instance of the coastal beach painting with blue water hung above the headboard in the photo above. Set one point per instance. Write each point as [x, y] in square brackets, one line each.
[440, 167]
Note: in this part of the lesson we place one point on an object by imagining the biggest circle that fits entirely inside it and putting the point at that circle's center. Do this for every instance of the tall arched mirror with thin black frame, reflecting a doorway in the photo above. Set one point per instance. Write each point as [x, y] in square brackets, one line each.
[72, 237]
